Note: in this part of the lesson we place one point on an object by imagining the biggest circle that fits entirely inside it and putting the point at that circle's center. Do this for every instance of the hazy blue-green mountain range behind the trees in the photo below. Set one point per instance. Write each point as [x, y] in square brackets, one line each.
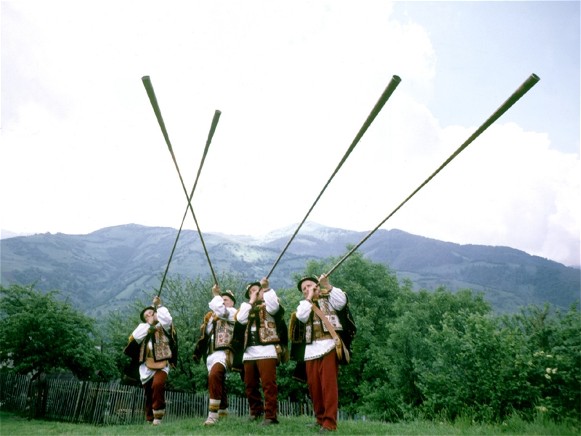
[111, 267]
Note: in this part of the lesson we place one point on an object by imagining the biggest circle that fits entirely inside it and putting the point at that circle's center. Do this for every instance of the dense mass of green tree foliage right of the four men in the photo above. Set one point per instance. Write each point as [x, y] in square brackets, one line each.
[446, 355]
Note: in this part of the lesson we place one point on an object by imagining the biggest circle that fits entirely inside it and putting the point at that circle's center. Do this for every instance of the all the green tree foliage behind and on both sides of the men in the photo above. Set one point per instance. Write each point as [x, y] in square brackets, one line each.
[439, 354]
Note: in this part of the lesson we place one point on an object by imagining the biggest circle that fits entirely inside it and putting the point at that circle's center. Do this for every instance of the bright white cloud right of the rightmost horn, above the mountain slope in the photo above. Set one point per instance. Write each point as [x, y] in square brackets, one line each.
[507, 188]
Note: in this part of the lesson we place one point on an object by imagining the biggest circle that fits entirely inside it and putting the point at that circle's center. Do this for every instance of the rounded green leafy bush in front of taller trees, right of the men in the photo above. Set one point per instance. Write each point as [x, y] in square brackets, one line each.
[472, 369]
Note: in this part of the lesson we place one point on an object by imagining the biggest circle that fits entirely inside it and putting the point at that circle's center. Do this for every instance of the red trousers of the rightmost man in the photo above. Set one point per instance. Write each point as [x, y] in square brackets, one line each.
[322, 376]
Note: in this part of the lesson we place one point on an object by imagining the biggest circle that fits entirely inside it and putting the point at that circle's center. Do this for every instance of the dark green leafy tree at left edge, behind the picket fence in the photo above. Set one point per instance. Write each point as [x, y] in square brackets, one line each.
[39, 334]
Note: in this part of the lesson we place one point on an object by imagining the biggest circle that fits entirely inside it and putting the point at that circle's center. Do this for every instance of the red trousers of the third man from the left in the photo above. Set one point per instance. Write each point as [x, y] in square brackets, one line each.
[257, 372]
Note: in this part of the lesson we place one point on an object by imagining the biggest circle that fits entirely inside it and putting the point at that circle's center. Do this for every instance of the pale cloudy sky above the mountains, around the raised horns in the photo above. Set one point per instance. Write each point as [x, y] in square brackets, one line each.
[294, 81]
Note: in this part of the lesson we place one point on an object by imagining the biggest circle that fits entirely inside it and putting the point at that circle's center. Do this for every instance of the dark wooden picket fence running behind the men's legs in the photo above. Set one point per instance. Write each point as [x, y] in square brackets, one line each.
[110, 403]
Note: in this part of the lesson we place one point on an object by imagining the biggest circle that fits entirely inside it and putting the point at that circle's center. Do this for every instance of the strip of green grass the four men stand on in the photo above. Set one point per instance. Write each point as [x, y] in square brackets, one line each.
[11, 424]
